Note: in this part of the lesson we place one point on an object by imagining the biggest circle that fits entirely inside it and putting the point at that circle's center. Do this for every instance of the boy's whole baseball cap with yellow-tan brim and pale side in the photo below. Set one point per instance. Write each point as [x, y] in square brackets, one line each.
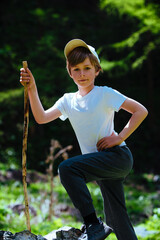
[79, 43]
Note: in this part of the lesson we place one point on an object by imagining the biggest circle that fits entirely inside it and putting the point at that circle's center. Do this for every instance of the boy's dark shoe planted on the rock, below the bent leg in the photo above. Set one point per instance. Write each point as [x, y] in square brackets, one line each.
[95, 231]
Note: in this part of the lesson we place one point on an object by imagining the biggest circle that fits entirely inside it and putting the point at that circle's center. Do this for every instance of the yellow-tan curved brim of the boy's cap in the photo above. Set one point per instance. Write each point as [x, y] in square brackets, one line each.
[73, 44]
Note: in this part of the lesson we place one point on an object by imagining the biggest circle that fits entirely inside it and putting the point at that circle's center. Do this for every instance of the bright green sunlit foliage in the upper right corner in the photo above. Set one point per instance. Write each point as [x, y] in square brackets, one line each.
[148, 23]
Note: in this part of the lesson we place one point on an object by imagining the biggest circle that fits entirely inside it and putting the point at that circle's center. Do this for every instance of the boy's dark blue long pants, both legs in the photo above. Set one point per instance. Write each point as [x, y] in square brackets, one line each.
[109, 168]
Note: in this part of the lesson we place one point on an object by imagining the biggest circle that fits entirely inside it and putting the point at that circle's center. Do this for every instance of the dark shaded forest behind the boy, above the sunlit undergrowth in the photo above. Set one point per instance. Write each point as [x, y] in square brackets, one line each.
[126, 35]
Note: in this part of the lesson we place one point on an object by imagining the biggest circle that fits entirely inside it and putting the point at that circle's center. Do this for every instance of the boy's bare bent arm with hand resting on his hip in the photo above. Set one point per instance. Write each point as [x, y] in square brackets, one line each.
[139, 113]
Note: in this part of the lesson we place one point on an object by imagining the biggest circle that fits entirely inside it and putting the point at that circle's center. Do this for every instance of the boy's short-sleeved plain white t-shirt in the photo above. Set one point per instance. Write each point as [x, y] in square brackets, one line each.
[91, 116]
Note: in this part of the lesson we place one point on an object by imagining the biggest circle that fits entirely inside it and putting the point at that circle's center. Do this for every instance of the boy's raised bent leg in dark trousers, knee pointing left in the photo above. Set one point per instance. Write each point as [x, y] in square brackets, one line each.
[114, 163]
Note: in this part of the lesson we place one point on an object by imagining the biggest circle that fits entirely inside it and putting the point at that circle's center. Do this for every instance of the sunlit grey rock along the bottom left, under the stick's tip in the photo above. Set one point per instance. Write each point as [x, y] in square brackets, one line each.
[64, 233]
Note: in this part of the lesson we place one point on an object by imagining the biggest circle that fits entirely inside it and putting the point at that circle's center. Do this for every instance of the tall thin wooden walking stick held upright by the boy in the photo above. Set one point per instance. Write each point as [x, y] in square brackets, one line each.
[24, 150]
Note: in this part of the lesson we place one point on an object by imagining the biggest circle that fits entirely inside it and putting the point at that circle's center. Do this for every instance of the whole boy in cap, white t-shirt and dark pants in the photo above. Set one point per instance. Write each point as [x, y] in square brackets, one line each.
[105, 157]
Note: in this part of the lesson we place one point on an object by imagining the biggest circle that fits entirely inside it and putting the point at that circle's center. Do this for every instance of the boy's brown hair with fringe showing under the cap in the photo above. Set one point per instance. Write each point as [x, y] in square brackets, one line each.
[78, 55]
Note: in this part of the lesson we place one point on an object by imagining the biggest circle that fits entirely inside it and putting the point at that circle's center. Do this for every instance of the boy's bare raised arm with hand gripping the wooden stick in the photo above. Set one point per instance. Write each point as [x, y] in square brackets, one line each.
[41, 116]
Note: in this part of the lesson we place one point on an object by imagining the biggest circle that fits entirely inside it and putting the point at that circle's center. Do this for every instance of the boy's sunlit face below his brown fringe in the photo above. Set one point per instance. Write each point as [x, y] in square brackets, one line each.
[84, 75]
